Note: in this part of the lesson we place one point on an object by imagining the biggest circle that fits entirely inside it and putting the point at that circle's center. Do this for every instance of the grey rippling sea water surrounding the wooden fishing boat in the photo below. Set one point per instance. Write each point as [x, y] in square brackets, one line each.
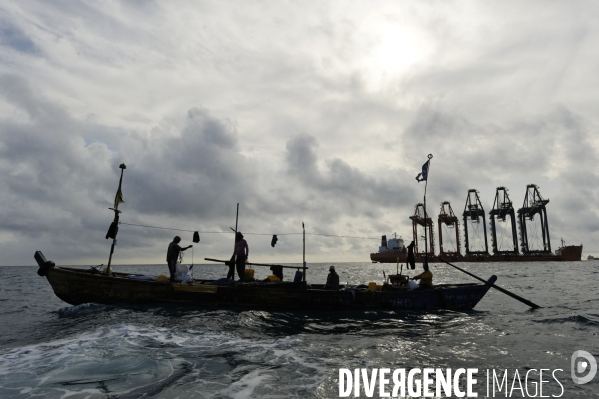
[49, 349]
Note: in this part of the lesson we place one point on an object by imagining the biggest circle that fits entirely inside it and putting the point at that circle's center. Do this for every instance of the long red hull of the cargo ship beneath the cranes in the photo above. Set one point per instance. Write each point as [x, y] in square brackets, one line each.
[567, 254]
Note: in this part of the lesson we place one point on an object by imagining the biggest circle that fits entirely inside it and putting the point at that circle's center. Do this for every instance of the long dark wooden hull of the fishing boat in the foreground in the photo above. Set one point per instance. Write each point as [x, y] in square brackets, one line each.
[77, 286]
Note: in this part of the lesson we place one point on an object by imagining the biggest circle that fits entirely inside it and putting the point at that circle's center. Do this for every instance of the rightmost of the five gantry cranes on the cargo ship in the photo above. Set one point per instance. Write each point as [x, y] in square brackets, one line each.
[533, 204]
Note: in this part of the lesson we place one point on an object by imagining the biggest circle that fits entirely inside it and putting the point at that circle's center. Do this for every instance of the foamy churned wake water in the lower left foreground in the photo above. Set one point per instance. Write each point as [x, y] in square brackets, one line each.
[122, 360]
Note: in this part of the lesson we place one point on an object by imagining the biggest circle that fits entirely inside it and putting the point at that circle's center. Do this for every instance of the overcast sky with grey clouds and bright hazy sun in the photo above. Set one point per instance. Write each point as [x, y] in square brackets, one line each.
[315, 112]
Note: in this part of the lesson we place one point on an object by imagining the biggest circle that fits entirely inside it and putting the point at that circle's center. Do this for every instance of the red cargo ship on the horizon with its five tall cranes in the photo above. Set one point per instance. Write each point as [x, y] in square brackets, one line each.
[533, 209]
